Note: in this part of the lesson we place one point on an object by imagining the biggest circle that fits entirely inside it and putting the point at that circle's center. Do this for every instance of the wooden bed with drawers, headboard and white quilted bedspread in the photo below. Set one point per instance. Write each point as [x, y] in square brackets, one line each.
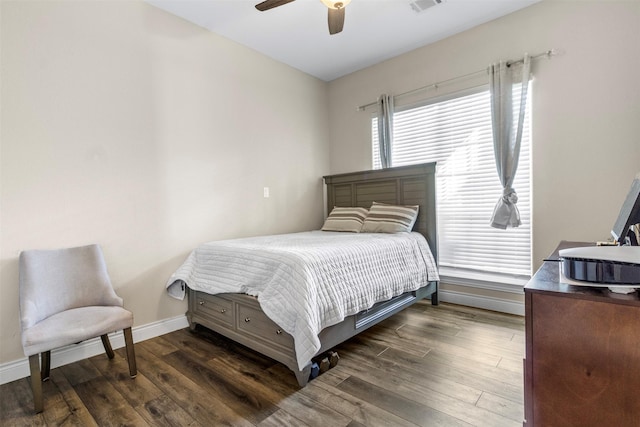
[244, 313]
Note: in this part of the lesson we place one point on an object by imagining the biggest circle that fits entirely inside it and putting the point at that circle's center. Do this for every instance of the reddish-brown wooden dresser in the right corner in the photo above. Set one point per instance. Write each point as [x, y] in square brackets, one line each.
[582, 365]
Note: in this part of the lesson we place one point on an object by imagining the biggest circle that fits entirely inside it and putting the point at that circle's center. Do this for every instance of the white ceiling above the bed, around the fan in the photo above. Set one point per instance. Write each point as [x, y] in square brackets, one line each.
[374, 30]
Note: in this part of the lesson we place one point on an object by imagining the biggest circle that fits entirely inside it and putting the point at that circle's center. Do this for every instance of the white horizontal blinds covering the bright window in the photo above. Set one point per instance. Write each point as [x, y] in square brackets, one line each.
[456, 133]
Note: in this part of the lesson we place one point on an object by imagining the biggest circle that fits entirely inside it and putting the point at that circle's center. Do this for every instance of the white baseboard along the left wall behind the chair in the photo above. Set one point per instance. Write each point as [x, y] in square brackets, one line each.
[17, 369]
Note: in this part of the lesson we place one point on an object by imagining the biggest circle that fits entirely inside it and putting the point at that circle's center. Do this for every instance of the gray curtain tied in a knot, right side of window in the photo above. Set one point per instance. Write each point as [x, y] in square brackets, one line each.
[506, 145]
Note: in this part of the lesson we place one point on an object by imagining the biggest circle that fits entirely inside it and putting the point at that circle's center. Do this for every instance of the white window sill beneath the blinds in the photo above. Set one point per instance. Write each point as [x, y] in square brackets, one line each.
[492, 281]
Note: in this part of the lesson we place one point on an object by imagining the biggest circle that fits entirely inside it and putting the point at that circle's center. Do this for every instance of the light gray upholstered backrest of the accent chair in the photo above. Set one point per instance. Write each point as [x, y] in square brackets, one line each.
[52, 281]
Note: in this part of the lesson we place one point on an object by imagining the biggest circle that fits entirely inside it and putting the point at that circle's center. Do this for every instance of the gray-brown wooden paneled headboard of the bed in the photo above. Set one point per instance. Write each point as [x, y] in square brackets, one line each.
[404, 185]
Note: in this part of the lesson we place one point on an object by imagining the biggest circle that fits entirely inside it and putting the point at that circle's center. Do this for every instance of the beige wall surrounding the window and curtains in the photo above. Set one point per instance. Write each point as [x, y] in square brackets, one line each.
[586, 107]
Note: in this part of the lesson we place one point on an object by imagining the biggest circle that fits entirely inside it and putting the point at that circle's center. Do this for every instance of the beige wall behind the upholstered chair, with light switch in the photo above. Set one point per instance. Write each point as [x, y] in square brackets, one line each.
[126, 126]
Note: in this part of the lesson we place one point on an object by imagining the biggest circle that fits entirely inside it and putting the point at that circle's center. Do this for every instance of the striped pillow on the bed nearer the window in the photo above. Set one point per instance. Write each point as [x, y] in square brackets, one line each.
[384, 218]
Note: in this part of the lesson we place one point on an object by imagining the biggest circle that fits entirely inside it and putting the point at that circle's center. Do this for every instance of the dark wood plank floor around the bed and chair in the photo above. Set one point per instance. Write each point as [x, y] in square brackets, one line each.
[428, 366]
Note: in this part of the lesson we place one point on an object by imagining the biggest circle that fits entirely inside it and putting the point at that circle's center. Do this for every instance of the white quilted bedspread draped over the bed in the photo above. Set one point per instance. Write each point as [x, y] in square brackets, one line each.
[311, 280]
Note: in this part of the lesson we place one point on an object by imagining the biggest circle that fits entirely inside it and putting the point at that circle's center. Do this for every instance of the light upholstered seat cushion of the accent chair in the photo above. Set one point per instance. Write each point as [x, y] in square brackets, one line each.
[73, 326]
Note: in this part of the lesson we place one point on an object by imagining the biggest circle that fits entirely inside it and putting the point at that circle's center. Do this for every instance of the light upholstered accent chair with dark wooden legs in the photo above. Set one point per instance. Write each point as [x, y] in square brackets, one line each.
[66, 297]
